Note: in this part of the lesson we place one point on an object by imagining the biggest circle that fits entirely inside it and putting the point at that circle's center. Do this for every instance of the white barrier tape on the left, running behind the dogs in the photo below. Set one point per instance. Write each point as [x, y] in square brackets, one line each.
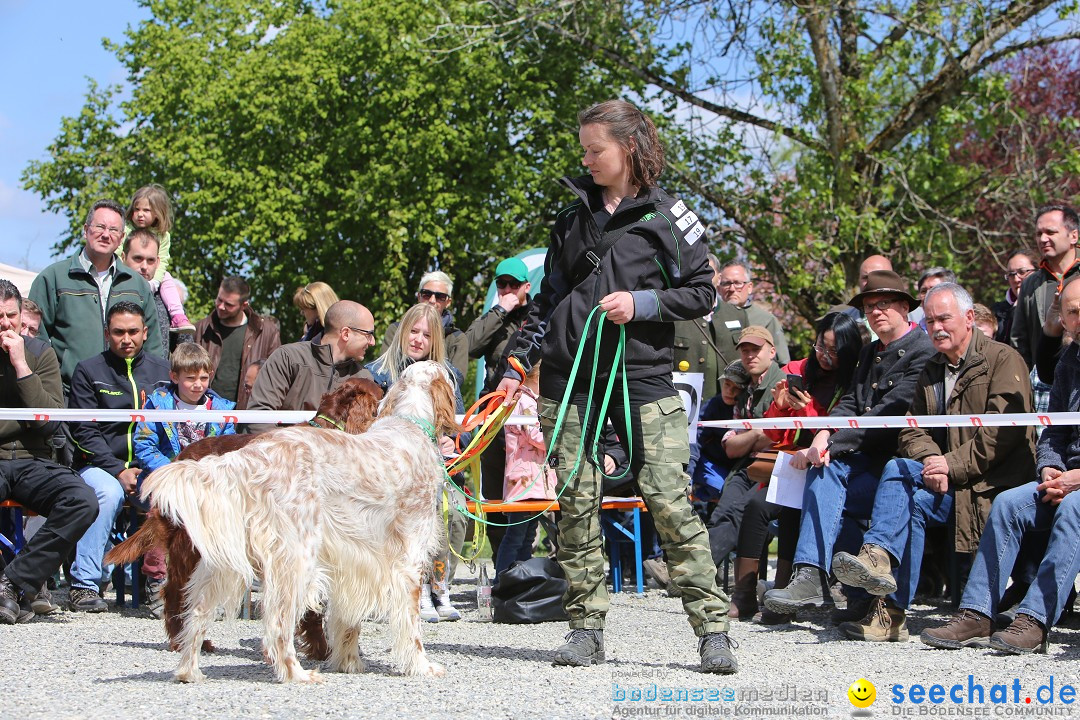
[283, 417]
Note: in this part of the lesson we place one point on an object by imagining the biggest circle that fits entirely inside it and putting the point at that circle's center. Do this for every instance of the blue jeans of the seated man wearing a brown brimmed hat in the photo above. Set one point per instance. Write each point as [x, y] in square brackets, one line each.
[844, 485]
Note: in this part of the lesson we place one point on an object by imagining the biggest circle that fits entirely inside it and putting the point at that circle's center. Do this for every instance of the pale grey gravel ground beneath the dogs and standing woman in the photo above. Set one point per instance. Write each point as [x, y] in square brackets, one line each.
[117, 664]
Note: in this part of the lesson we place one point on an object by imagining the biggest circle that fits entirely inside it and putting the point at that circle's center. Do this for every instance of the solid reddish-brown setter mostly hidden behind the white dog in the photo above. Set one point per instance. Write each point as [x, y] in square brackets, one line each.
[350, 407]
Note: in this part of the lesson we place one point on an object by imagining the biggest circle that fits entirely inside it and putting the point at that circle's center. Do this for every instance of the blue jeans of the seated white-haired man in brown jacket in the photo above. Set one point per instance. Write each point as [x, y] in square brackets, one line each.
[903, 508]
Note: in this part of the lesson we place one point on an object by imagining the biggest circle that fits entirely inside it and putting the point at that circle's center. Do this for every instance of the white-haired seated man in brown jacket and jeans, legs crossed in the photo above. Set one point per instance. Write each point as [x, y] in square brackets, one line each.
[941, 477]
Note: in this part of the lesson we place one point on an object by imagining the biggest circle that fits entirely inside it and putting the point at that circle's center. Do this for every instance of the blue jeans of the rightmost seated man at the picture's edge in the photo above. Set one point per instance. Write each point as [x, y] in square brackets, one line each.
[1016, 512]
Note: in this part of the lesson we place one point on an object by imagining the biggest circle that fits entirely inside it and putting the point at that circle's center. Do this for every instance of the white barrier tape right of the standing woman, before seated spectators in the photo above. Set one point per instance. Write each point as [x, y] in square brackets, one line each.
[899, 423]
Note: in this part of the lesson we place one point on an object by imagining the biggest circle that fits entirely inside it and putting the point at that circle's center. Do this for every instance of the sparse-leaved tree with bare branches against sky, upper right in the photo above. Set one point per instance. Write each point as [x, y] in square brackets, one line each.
[814, 133]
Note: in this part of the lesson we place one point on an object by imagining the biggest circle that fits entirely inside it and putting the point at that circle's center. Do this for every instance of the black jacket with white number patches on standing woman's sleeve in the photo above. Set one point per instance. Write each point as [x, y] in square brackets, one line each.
[661, 261]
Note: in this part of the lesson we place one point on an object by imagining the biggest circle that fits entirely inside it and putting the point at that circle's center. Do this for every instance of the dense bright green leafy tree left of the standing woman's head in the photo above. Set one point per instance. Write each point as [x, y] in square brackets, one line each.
[342, 142]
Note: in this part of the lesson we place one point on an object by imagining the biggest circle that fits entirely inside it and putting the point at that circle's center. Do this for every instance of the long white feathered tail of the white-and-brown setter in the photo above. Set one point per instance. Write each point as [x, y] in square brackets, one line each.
[204, 498]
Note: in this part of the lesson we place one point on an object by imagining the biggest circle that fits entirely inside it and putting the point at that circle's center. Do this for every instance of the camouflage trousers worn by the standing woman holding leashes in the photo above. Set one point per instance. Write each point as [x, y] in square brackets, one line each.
[660, 451]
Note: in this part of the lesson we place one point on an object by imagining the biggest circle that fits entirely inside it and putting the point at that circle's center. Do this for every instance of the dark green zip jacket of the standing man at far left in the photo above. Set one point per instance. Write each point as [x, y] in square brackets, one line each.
[72, 314]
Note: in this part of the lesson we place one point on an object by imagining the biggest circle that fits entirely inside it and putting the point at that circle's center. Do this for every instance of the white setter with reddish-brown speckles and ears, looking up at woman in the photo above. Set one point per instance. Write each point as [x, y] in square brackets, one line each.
[330, 521]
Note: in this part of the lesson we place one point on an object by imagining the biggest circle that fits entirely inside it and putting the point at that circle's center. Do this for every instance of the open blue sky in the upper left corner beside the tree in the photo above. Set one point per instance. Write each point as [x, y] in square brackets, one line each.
[48, 50]
